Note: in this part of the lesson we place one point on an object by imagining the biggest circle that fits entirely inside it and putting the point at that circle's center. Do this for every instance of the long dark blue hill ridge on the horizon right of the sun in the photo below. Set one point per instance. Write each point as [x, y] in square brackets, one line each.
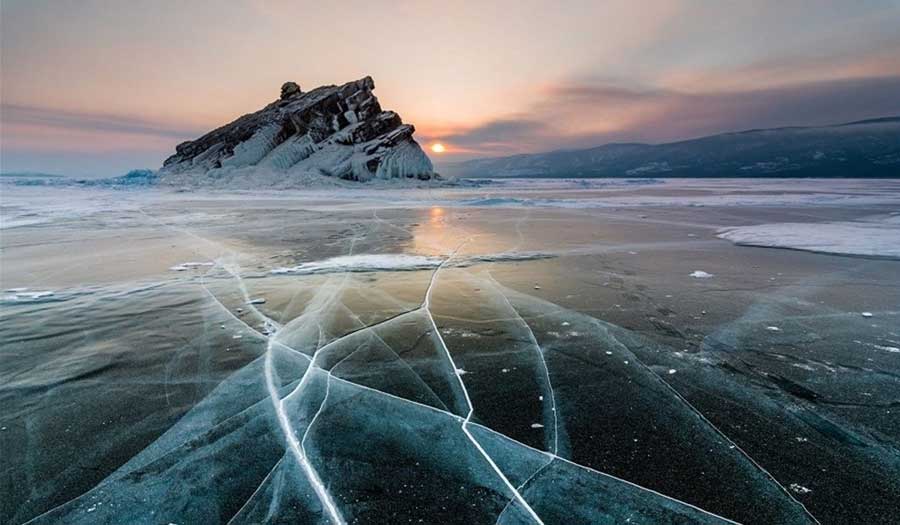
[863, 149]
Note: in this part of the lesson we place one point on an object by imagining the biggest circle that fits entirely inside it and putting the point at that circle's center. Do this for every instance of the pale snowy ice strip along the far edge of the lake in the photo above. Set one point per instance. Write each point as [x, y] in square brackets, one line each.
[27, 204]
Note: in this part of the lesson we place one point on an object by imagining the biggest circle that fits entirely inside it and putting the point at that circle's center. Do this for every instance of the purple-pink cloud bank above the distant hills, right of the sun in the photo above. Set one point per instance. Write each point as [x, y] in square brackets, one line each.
[571, 115]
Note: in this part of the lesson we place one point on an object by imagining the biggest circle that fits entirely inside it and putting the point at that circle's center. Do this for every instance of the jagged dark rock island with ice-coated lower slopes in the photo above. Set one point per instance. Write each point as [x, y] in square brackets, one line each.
[338, 131]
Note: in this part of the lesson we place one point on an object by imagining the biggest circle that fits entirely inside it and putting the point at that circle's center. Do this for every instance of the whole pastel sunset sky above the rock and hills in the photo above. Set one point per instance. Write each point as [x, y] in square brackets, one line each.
[95, 88]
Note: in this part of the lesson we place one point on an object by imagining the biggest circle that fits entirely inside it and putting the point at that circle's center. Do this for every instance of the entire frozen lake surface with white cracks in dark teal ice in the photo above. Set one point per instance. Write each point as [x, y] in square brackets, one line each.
[684, 351]
